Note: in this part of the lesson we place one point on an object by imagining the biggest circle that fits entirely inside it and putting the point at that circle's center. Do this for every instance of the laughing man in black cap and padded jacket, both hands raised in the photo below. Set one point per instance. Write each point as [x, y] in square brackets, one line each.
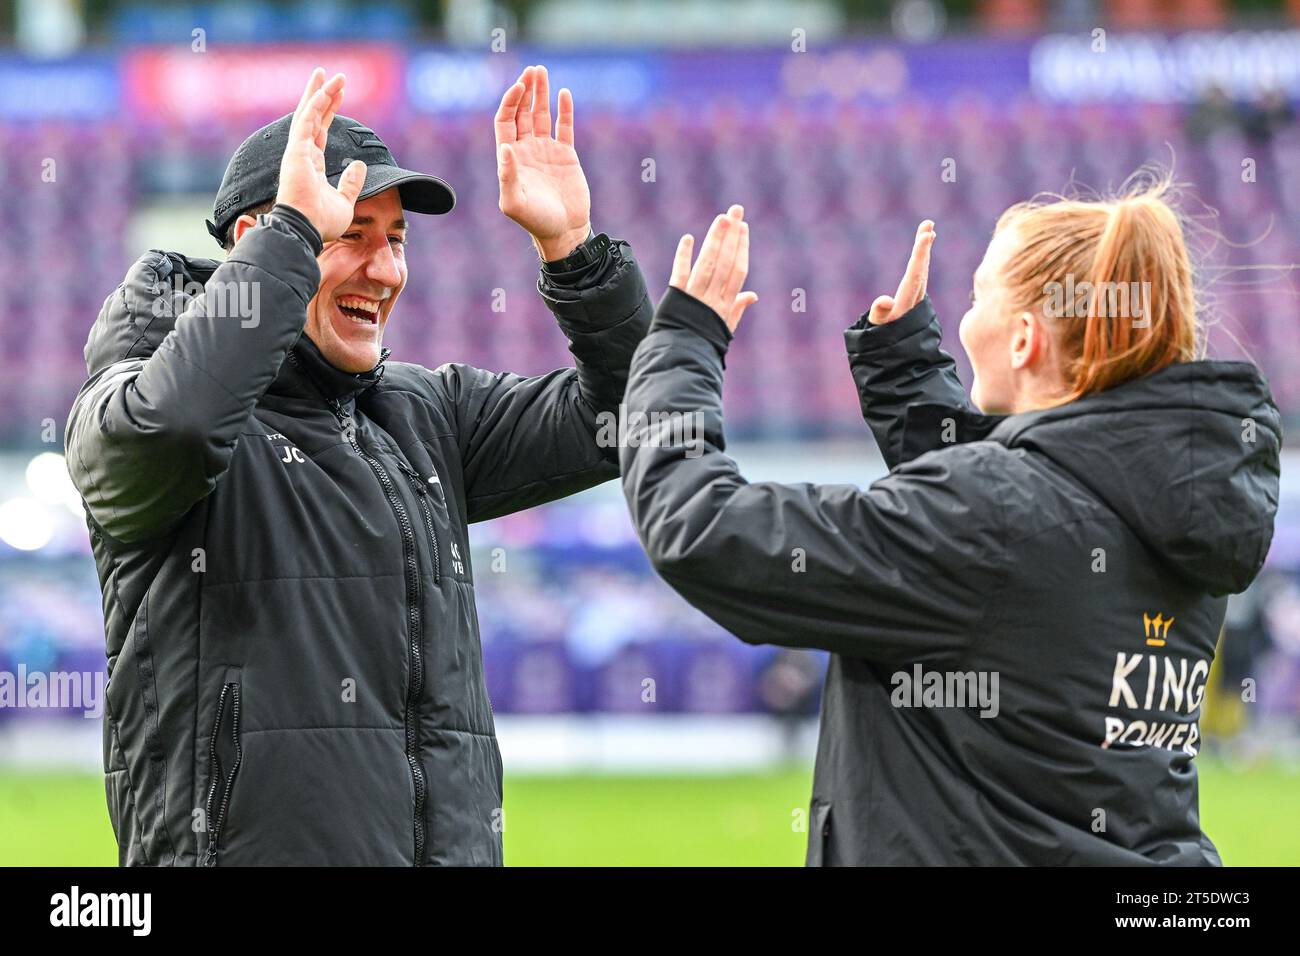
[279, 514]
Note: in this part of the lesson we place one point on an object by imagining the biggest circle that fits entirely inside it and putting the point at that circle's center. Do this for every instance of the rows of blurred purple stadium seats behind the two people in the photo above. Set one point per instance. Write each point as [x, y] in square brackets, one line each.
[834, 200]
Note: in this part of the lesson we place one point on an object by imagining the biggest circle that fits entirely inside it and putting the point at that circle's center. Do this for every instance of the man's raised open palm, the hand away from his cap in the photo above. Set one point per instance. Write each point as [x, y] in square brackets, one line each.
[543, 187]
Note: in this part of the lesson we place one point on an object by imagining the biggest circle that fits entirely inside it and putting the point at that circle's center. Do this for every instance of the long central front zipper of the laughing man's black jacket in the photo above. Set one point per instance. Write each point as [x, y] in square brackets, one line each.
[415, 655]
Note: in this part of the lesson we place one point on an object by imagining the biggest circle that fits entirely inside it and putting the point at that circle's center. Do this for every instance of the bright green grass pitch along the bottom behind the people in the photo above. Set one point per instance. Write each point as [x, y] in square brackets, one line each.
[746, 820]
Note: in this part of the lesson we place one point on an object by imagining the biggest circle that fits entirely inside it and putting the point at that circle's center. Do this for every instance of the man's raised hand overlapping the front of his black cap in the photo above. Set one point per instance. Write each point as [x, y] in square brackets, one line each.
[302, 171]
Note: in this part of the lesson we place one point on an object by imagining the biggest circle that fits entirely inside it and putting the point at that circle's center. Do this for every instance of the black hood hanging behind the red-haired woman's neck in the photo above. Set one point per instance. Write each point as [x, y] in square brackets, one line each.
[1188, 457]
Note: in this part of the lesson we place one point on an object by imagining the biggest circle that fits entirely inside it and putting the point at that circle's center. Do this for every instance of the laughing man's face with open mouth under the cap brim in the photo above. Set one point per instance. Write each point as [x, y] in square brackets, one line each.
[362, 275]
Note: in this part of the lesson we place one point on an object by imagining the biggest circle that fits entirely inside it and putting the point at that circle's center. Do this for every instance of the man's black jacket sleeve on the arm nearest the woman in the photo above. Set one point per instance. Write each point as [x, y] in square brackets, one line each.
[530, 440]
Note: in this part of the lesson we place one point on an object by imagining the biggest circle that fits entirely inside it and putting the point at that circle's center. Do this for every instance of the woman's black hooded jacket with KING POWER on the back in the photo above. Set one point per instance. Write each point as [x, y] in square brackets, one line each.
[1080, 556]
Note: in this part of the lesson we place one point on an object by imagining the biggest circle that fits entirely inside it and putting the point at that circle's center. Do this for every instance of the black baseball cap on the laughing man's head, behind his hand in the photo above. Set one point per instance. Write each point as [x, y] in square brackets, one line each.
[253, 176]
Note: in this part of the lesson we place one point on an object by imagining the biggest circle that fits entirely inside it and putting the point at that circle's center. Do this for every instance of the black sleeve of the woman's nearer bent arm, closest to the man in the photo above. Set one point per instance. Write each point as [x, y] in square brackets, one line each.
[902, 572]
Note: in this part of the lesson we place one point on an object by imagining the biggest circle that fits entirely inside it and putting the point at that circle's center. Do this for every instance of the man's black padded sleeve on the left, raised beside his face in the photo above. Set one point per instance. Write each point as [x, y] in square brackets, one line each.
[148, 439]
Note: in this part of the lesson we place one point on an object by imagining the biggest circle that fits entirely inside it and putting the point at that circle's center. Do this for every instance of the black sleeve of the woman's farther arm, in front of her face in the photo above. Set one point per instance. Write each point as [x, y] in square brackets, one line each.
[900, 365]
